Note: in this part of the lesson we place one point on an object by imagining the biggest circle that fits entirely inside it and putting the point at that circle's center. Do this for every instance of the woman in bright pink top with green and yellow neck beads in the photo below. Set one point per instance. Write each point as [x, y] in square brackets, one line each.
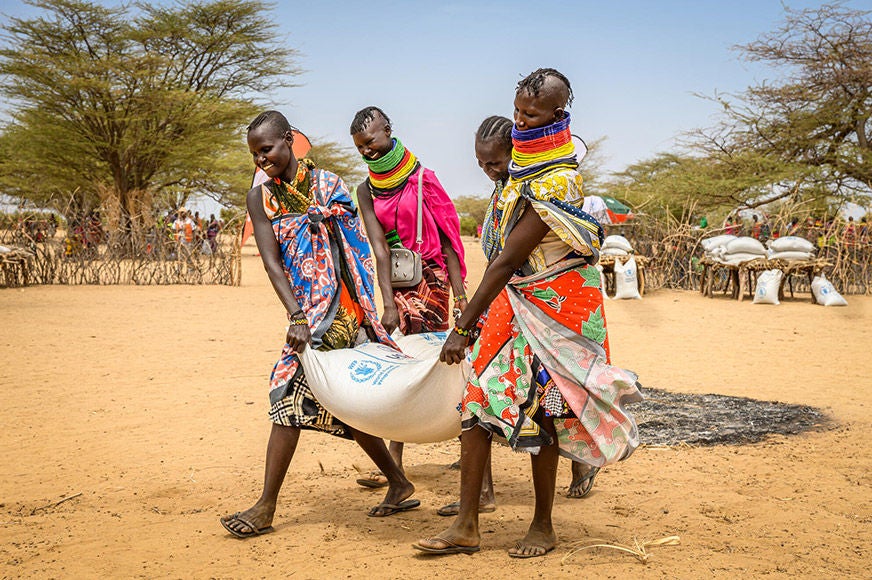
[388, 203]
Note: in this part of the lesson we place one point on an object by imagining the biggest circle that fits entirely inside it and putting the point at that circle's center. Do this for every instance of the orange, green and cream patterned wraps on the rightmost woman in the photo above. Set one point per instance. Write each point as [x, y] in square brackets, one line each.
[543, 352]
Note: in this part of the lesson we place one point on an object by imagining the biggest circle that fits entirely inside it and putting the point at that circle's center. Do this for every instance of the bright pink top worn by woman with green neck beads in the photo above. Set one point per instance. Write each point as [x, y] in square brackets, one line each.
[400, 212]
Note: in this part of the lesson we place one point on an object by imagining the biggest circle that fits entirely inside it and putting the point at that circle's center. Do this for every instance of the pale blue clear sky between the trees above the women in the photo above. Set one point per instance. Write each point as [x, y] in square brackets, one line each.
[439, 68]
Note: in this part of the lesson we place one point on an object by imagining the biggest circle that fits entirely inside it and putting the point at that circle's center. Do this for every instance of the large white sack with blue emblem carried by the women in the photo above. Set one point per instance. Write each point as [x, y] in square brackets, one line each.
[402, 396]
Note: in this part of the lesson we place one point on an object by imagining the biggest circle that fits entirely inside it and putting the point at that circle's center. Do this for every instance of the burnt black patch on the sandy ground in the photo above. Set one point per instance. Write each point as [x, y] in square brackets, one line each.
[666, 418]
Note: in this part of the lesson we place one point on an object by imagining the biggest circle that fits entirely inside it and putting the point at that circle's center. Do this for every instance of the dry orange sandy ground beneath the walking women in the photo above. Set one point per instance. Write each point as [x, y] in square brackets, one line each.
[135, 416]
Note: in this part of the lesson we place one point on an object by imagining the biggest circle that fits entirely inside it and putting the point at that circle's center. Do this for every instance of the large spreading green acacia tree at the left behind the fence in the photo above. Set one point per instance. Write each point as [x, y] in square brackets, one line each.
[128, 104]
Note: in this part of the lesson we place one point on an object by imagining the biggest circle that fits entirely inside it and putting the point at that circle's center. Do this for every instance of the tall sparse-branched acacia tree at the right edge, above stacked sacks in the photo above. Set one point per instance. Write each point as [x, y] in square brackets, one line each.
[814, 125]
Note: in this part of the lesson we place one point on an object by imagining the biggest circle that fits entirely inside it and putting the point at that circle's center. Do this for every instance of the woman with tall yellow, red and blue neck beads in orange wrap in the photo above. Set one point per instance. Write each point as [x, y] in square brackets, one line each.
[541, 377]
